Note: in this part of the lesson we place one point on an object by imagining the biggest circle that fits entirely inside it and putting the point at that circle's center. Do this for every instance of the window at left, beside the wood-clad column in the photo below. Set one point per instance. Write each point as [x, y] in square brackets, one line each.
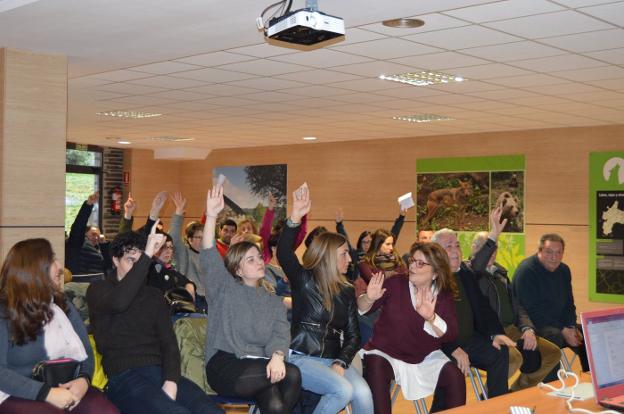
[83, 177]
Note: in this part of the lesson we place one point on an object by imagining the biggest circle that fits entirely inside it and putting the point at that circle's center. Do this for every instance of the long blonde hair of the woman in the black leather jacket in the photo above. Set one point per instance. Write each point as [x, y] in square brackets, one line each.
[321, 258]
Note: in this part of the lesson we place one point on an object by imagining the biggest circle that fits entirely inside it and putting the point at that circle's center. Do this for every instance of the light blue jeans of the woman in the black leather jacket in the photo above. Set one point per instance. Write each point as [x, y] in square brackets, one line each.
[337, 391]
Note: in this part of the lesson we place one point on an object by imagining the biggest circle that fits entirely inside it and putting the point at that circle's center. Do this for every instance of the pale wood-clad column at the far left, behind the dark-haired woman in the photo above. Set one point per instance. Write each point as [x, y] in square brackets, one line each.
[33, 125]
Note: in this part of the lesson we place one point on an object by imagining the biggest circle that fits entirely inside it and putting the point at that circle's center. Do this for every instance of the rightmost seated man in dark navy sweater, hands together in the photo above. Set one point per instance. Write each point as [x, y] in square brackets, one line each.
[543, 285]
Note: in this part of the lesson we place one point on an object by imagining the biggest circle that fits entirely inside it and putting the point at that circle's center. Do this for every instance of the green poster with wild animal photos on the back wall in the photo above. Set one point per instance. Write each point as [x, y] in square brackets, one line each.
[459, 193]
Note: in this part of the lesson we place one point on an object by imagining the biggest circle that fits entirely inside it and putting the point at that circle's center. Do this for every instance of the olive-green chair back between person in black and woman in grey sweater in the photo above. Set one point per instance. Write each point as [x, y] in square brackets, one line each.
[191, 335]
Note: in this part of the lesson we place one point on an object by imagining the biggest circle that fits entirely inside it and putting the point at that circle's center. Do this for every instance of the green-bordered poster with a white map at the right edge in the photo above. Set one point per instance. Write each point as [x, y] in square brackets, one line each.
[606, 220]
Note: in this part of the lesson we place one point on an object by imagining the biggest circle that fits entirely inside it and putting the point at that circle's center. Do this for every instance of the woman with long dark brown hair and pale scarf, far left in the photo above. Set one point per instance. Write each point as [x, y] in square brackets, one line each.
[37, 324]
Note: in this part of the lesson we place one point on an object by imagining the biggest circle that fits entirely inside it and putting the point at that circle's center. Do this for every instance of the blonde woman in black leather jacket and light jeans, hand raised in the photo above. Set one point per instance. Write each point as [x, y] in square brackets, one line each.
[325, 333]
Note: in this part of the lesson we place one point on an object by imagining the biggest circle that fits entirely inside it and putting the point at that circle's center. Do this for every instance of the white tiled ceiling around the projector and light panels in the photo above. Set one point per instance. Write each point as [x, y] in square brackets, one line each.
[203, 64]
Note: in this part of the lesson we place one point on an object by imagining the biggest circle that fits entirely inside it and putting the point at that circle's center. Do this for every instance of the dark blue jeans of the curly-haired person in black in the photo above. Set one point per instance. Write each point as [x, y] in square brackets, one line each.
[139, 391]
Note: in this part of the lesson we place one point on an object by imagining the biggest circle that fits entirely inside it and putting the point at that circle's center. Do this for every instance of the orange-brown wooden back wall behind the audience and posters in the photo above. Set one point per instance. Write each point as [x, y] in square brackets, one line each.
[366, 177]
